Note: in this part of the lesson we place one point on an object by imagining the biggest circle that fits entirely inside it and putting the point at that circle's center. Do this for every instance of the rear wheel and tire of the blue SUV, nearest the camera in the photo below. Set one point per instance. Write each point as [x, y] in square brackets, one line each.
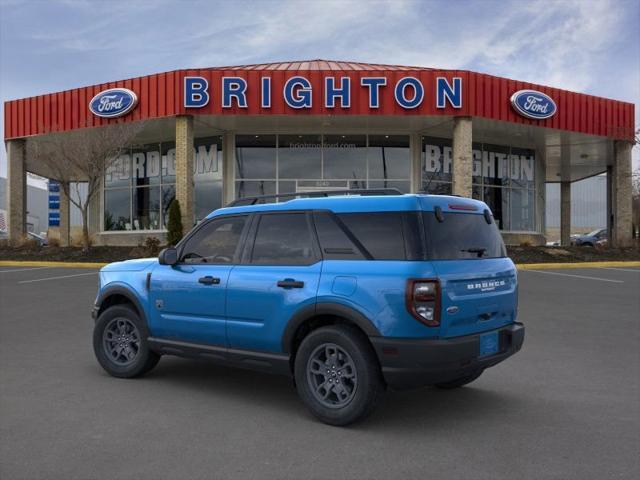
[340, 354]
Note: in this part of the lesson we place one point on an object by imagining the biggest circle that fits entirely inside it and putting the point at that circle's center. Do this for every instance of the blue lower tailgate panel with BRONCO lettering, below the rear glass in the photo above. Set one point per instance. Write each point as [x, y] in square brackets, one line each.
[477, 295]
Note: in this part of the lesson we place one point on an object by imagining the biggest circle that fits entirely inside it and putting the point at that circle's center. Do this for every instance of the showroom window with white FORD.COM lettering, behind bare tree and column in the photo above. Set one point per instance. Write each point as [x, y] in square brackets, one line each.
[140, 185]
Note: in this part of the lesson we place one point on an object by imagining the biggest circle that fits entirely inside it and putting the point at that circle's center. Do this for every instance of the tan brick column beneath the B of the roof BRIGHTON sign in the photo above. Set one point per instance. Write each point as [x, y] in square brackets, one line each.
[184, 170]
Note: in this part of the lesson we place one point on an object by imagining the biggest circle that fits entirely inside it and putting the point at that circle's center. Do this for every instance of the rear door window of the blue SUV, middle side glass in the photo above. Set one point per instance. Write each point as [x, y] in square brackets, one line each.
[283, 239]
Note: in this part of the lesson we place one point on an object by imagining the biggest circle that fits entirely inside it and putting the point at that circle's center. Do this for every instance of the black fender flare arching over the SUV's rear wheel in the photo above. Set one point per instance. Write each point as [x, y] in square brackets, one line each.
[325, 308]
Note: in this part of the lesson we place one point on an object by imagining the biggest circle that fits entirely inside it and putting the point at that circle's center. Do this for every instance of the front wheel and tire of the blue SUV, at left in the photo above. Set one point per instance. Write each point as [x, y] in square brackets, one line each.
[131, 358]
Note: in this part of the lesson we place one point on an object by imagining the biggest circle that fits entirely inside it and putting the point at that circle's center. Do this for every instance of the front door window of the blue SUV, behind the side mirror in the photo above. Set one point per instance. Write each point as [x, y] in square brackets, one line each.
[215, 242]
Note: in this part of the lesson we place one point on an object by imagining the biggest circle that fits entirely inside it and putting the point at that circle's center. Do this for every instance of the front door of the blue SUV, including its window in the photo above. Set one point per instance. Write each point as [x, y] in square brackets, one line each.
[188, 299]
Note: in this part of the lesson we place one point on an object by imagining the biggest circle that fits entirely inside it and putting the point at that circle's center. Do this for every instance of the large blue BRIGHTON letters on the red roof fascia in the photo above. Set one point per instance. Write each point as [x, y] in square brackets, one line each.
[408, 92]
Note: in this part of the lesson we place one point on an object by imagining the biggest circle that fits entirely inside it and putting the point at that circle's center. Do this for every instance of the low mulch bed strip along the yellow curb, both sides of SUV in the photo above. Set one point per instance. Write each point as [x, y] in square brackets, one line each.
[113, 254]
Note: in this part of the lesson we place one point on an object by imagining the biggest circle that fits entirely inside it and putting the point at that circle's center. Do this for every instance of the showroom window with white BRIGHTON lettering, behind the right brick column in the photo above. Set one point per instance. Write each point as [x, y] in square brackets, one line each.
[503, 177]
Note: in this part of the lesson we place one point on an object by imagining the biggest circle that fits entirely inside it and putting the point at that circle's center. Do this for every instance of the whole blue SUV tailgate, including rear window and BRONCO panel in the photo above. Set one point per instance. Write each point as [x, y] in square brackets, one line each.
[478, 282]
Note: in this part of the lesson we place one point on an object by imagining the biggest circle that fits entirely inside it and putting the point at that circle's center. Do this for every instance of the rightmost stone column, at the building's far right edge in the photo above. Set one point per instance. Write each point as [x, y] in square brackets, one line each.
[622, 193]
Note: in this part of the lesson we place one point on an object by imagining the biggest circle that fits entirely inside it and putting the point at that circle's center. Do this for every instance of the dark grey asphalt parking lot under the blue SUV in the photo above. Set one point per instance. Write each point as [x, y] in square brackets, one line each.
[567, 406]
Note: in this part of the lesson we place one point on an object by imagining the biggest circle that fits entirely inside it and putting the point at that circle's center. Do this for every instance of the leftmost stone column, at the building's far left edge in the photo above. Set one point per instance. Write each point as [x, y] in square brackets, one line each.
[16, 191]
